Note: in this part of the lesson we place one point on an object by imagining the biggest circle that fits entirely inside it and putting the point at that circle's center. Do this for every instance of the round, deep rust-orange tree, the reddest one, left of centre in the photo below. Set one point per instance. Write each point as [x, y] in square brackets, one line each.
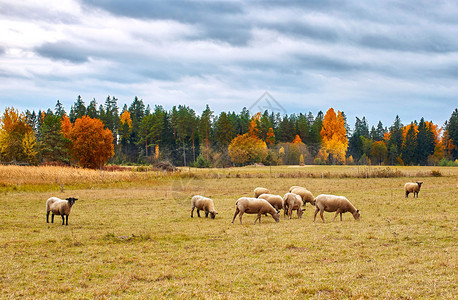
[92, 145]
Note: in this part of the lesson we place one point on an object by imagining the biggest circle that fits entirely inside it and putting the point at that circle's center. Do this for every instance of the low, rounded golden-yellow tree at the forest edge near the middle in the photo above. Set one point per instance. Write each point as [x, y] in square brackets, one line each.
[245, 149]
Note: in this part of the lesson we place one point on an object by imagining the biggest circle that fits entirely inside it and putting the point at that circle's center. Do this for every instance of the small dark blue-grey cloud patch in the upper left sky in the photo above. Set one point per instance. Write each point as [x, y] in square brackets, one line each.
[63, 50]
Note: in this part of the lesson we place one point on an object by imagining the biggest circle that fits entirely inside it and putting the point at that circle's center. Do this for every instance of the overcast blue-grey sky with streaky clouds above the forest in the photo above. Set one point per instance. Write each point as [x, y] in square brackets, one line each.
[376, 59]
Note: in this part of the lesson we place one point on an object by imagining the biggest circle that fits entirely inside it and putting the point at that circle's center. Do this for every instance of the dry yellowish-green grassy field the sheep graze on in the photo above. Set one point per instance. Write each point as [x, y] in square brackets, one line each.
[131, 236]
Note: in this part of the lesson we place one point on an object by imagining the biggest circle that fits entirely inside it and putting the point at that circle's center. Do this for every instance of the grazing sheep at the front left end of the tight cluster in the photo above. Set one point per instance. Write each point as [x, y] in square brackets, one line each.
[254, 206]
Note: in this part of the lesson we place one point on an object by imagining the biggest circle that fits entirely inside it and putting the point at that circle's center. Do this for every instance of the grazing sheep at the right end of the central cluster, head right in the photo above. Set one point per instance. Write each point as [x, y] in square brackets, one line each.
[331, 203]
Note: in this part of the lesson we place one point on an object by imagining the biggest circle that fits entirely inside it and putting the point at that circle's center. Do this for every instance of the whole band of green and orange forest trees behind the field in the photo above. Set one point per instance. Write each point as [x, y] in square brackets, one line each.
[93, 135]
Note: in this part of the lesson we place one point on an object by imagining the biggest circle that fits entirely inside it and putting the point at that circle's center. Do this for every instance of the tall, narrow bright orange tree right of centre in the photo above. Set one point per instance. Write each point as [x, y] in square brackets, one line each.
[334, 136]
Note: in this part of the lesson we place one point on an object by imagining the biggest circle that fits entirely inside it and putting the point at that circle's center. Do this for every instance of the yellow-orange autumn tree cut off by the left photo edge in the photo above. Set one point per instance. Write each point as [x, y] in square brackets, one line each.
[13, 130]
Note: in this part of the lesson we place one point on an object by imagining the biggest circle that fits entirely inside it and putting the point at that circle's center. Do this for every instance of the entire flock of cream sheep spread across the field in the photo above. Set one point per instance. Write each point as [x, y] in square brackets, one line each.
[262, 203]
